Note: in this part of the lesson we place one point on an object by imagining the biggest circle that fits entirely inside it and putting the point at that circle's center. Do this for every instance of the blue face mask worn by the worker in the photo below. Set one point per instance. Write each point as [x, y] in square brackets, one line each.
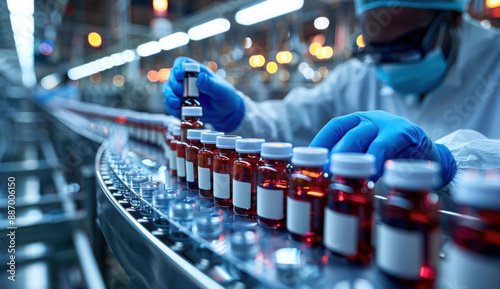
[415, 78]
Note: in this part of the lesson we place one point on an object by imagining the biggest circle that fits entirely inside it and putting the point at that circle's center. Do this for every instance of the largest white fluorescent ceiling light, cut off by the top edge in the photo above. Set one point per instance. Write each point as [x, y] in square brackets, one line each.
[267, 10]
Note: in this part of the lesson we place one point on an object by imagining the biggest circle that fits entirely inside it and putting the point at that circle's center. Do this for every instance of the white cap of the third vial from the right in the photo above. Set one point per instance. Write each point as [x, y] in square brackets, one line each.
[354, 165]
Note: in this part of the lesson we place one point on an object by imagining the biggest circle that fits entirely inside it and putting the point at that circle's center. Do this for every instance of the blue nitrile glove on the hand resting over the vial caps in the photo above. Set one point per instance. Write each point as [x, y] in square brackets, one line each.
[385, 136]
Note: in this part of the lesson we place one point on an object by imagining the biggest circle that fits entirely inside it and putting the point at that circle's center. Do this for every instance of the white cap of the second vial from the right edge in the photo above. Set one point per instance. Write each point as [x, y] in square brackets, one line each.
[412, 174]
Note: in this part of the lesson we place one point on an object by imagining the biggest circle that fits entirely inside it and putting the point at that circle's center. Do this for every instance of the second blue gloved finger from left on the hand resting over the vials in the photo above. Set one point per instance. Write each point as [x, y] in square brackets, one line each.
[358, 139]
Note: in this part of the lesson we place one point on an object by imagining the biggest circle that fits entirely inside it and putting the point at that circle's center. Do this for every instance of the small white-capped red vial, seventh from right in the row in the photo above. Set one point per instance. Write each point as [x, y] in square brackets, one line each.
[223, 170]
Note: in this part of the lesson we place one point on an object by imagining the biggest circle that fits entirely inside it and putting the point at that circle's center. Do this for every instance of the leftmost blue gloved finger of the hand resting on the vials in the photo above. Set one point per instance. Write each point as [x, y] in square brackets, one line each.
[334, 130]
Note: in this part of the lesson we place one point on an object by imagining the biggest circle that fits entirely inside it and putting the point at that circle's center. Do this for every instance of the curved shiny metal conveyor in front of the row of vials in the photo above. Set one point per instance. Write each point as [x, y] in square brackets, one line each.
[214, 248]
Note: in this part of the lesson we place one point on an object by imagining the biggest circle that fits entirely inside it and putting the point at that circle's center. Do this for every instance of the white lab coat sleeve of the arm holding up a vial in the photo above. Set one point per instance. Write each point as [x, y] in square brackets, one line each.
[297, 118]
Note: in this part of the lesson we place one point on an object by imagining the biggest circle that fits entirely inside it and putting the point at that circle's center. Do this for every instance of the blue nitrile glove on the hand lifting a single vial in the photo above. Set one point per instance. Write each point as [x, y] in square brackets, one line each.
[222, 105]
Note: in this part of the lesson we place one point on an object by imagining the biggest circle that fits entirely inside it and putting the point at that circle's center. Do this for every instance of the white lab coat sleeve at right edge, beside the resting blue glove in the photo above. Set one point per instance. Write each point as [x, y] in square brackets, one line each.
[471, 149]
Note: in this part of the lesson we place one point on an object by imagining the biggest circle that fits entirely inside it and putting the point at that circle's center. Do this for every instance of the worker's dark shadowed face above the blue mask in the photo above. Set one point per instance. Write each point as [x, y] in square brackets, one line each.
[389, 24]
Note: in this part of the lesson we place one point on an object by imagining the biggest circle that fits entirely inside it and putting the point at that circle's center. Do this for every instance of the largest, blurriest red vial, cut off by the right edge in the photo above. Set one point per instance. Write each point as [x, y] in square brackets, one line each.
[473, 257]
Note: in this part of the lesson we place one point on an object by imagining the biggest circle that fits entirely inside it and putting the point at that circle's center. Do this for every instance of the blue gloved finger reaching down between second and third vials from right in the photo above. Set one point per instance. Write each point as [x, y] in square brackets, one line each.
[385, 147]
